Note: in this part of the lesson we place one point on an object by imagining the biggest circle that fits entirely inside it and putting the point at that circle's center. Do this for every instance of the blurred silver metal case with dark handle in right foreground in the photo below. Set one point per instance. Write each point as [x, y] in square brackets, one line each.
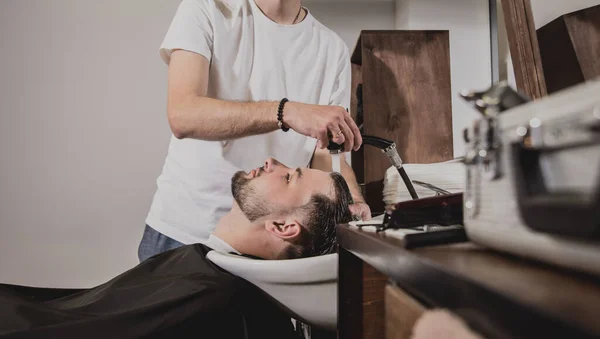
[533, 175]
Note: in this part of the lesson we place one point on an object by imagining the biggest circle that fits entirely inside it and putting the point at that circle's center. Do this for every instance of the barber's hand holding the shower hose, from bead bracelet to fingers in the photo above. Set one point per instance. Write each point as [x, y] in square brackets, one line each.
[319, 121]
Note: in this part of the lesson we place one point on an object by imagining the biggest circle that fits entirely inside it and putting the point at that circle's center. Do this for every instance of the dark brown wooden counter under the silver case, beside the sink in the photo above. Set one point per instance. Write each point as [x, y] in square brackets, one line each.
[498, 295]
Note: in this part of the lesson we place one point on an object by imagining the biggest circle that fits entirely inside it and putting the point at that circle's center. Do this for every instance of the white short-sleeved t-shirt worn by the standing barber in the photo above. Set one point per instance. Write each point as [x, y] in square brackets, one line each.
[252, 58]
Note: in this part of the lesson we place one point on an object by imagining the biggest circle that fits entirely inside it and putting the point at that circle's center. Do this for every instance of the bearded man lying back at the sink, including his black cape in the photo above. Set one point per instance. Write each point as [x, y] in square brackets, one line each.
[278, 213]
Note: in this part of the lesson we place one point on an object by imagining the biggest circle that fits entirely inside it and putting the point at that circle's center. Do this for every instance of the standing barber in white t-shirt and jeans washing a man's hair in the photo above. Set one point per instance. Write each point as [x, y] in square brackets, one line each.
[248, 80]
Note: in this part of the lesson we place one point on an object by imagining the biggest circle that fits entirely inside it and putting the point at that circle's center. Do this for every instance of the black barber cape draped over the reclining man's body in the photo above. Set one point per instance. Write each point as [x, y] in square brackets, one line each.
[176, 294]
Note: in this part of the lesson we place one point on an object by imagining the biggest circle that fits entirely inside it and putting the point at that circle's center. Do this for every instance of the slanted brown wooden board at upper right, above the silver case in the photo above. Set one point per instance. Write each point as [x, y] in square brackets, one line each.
[524, 48]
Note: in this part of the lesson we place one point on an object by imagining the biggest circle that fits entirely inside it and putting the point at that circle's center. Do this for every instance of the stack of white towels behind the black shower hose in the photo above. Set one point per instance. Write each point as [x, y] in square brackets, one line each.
[449, 176]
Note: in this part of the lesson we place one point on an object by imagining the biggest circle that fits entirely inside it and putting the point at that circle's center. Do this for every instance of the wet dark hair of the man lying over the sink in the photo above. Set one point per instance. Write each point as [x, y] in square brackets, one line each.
[322, 215]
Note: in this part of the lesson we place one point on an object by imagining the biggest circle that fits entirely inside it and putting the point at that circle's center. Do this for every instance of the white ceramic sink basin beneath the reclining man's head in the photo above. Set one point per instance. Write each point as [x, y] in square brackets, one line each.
[306, 288]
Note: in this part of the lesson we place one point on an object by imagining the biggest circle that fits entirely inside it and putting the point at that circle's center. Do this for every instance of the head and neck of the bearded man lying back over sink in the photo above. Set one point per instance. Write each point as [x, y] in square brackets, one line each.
[283, 213]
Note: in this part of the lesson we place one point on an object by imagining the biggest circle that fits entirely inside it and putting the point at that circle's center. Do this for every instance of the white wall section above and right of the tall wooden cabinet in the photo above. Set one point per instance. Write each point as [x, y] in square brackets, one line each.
[468, 23]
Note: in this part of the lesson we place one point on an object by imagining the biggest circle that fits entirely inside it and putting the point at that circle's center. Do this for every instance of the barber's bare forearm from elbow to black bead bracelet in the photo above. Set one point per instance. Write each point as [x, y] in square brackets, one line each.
[205, 118]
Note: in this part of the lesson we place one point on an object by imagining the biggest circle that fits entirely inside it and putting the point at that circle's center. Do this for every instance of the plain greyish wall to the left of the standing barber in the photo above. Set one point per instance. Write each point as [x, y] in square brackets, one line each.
[83, 134]
